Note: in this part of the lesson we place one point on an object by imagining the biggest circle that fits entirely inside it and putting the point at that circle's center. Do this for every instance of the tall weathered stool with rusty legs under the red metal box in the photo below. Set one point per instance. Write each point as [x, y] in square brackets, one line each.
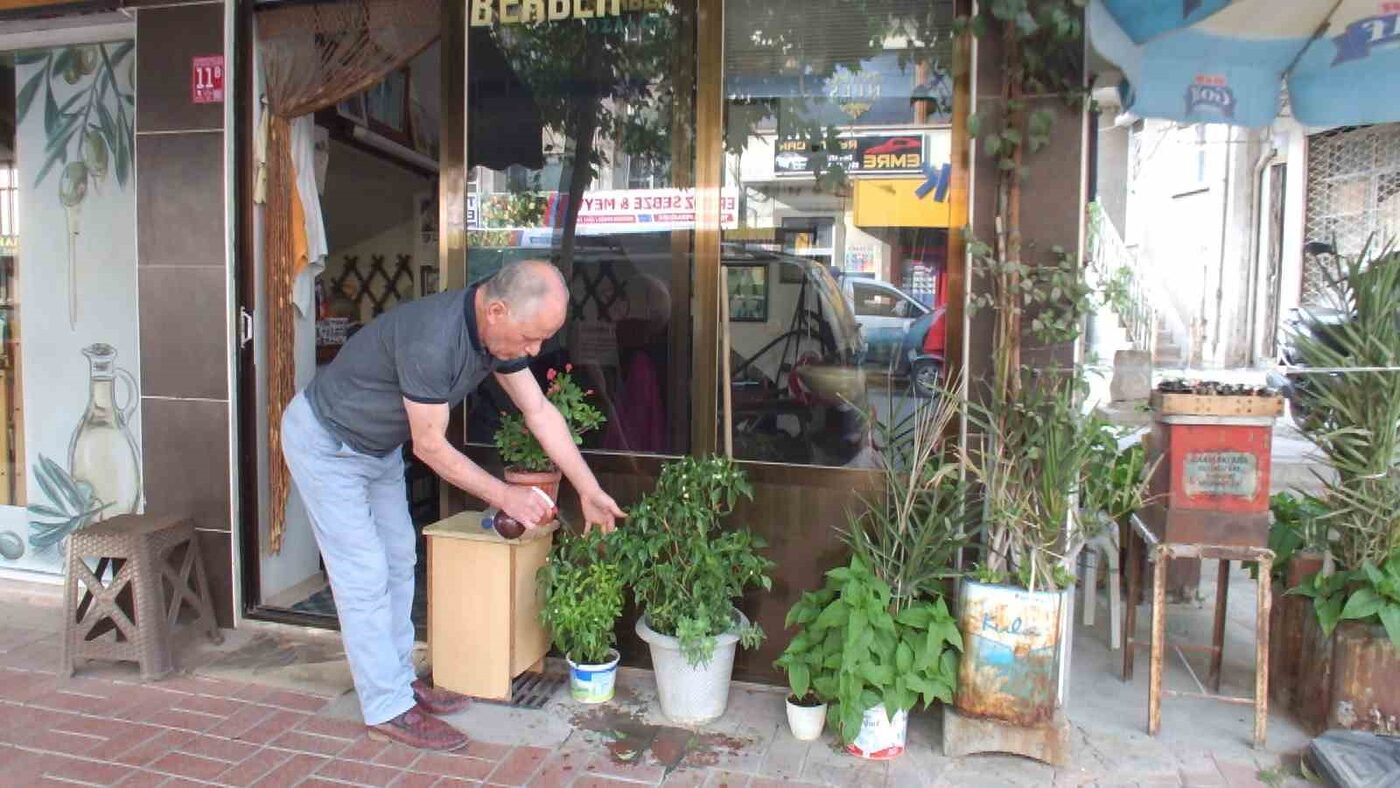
[1161, 555]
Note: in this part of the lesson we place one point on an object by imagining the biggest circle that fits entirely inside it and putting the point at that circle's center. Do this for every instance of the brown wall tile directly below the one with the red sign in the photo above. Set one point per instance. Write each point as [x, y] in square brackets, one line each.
[181, 199]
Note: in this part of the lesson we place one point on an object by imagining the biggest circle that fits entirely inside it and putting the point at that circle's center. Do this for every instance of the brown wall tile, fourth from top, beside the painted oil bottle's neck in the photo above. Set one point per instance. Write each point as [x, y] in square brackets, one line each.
[187, 460]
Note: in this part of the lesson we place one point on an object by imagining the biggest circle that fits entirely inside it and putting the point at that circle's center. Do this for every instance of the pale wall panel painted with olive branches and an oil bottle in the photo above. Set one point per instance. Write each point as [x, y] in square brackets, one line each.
[76, 282]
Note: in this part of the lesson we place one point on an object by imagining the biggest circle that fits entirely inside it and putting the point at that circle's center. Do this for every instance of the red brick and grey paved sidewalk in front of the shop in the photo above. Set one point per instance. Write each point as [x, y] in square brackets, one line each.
[107, 729]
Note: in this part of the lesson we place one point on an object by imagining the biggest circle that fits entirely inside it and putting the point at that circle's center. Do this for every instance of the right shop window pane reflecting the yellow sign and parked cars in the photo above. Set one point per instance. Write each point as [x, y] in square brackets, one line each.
[836, 118]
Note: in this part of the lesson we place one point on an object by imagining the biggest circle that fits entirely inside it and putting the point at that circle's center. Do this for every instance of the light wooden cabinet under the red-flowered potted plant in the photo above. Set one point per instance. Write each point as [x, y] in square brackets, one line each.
[484, 605]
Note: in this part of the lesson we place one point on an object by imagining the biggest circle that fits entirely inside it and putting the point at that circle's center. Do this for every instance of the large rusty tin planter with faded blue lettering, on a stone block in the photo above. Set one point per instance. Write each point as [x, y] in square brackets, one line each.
[1016, 646]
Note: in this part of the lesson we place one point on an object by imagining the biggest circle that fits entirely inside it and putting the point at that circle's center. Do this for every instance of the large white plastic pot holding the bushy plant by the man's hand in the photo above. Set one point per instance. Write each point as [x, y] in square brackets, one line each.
[692, 695]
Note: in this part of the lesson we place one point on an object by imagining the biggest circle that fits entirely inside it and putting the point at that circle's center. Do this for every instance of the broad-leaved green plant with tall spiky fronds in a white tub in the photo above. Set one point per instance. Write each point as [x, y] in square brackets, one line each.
[878, 638]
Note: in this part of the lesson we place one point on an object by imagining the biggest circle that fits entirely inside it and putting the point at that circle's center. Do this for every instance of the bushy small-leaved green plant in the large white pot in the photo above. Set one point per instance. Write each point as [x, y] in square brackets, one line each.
[687, 575]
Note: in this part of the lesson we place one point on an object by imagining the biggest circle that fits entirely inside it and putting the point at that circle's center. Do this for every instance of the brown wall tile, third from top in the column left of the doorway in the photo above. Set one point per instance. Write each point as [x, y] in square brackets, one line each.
[184, 332]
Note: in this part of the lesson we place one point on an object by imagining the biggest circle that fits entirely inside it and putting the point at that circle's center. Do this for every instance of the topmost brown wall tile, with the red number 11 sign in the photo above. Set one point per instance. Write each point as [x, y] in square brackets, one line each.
[169, 40]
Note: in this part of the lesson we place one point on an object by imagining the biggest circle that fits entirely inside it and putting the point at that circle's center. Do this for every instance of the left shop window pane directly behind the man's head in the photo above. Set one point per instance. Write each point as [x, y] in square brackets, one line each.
[611, 101]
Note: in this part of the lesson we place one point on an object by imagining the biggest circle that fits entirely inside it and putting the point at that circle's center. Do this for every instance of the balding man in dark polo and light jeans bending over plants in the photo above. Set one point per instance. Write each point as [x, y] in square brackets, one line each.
[397, 380]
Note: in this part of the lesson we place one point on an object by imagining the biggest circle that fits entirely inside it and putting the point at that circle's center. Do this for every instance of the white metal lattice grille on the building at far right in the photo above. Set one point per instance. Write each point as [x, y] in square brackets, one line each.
[1353, 194]
